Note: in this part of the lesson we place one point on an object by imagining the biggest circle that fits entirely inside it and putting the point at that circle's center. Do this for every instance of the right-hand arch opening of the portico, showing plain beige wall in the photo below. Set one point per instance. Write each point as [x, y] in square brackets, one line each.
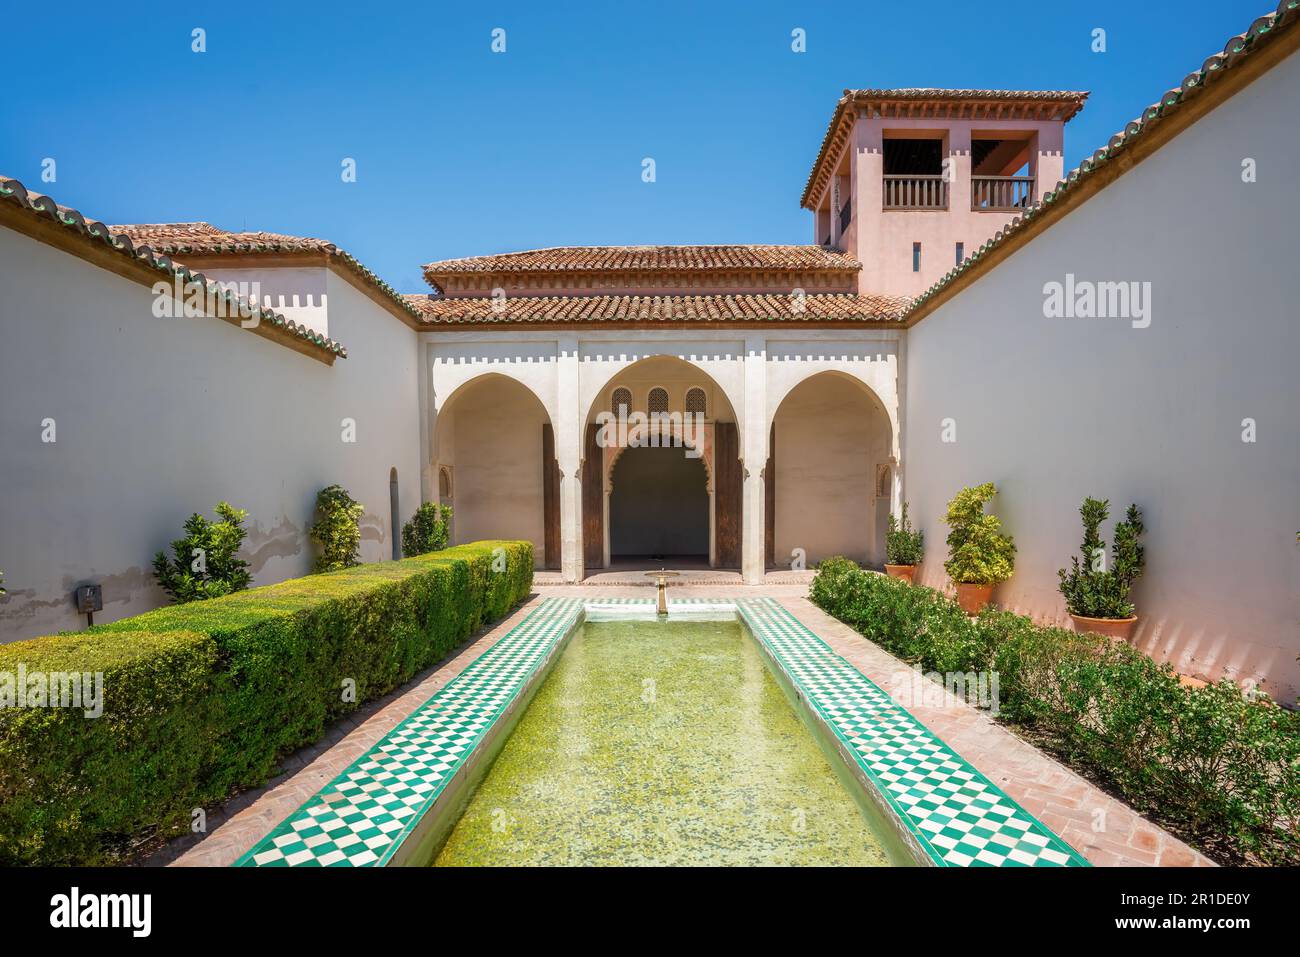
[831, 473]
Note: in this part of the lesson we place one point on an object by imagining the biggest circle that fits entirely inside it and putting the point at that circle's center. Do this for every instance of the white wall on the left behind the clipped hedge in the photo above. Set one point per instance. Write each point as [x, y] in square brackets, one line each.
[158, 419]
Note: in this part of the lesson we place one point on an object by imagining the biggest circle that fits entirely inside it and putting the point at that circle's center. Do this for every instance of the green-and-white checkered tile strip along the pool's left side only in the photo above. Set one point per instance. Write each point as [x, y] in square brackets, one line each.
[362, 817]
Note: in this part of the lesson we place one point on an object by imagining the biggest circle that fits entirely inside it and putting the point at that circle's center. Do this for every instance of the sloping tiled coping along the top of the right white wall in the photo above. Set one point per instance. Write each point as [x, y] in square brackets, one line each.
[1263, 32]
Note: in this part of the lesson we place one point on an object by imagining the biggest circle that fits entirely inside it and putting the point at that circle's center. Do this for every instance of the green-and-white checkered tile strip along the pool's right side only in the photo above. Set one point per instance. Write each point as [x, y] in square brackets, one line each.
[959, 816]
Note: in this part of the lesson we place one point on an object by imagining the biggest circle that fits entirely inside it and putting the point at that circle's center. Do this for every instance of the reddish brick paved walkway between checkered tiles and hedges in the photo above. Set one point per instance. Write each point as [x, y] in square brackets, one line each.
[1100, 828]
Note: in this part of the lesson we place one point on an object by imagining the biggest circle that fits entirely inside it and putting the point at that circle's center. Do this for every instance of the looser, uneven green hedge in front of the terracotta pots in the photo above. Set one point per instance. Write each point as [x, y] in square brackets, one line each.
[1219, 768]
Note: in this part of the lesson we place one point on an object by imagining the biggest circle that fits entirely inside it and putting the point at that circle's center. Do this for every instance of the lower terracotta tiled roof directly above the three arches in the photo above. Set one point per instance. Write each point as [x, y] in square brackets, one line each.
[830, 308]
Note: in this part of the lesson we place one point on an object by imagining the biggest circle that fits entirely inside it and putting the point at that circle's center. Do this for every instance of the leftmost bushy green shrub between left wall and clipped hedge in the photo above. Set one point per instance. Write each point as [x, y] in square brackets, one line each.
[205, 564]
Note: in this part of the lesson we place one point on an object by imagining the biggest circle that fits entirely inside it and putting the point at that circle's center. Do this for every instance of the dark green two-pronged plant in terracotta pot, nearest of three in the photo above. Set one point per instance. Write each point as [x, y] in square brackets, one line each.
[1095, 596]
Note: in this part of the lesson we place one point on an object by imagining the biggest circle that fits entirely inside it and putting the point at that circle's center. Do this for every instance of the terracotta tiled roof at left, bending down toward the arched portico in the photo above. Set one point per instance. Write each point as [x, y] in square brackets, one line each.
[206, 240]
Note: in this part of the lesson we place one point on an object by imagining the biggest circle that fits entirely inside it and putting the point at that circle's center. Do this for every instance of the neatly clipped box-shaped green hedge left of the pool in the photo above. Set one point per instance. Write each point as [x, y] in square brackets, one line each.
[203, 699]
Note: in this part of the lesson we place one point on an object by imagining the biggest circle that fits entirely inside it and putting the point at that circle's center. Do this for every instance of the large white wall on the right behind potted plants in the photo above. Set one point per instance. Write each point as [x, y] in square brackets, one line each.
[1054, 410]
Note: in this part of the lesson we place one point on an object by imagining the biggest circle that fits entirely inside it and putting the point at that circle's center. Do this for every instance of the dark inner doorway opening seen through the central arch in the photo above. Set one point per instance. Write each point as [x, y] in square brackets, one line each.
[660, 506]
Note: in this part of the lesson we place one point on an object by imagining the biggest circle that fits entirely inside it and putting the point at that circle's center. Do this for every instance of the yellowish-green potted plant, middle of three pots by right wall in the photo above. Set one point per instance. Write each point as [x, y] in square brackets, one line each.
[980, 555]
